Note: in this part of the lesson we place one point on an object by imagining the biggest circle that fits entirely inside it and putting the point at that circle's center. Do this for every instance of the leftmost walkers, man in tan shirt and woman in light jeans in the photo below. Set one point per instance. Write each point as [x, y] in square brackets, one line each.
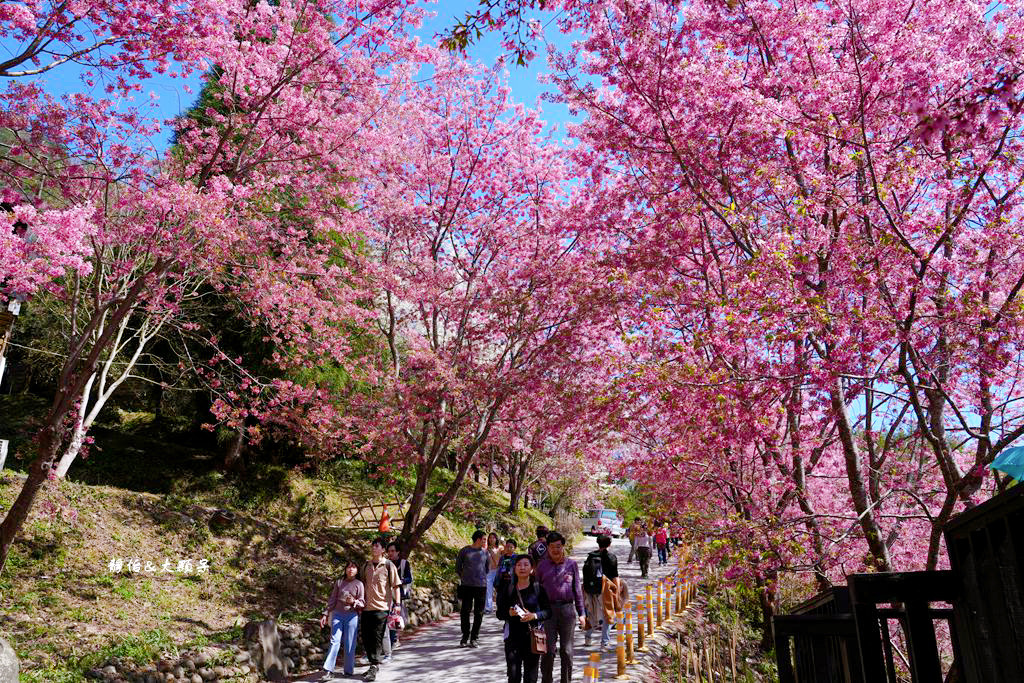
[368, 601]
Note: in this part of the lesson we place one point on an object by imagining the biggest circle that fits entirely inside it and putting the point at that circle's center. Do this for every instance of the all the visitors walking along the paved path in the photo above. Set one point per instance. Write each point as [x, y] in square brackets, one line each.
[541, 594]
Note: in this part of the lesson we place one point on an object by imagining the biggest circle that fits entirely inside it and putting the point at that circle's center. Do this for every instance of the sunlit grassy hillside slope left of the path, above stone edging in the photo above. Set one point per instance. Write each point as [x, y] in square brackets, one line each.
[65, 608]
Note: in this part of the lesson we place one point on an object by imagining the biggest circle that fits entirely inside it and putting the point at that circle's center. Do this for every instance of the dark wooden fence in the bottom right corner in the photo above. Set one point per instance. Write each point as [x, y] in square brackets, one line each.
[855, 633]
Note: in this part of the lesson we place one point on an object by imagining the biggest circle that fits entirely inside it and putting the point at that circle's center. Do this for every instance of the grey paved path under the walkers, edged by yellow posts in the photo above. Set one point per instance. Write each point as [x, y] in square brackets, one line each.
[433, 654]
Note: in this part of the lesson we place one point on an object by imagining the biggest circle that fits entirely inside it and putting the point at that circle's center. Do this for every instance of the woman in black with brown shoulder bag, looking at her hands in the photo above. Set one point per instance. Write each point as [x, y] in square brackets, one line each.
[523, 605]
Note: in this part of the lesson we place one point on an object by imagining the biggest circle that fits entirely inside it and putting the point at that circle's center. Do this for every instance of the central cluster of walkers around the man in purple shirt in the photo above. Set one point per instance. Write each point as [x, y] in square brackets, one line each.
[543, 599]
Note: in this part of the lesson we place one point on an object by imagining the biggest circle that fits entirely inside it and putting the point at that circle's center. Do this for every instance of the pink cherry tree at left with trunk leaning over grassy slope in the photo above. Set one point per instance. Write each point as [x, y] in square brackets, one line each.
[254, 200]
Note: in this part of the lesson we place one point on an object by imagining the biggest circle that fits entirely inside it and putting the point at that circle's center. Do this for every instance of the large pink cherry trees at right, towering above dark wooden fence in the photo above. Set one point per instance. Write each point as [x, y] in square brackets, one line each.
[819, 201]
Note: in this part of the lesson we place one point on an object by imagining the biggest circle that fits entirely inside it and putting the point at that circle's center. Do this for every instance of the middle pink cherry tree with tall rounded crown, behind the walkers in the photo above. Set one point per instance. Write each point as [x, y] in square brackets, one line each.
[484, 291]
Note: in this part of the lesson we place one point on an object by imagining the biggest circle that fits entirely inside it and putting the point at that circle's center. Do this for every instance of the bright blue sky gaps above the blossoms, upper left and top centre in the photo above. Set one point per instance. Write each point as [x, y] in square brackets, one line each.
[173, 99]
